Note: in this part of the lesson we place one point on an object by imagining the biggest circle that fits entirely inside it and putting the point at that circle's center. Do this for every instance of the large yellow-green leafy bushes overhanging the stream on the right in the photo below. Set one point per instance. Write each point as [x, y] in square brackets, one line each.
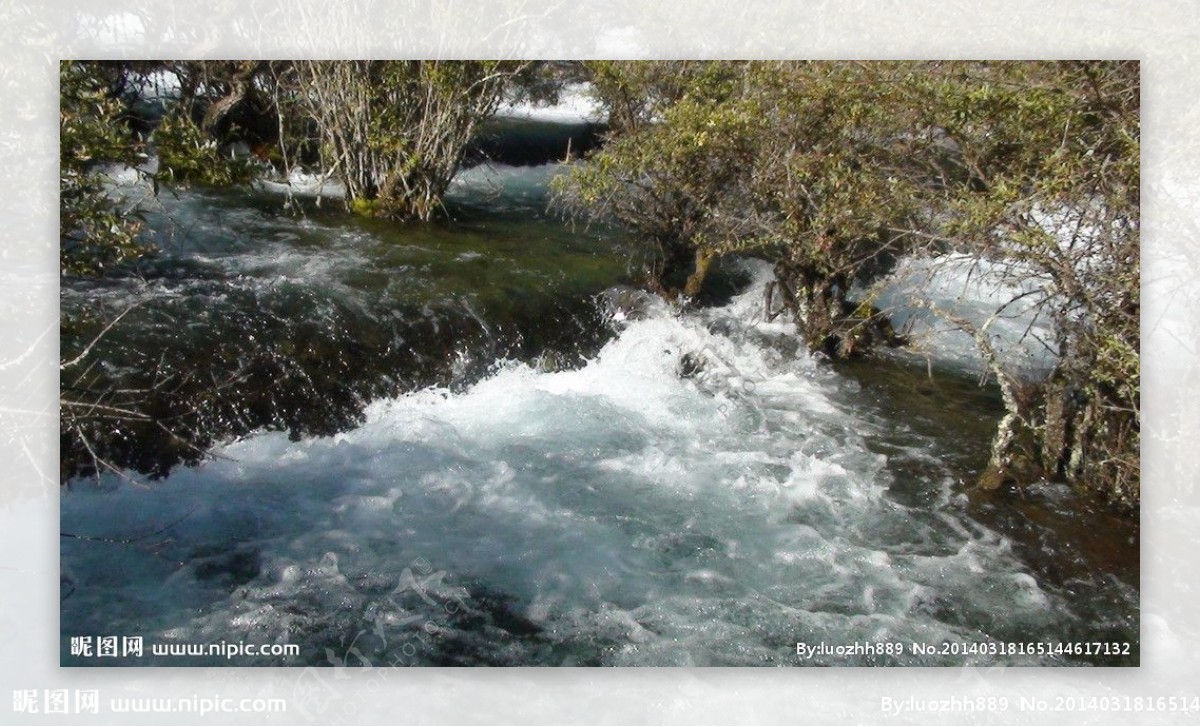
[833, 170]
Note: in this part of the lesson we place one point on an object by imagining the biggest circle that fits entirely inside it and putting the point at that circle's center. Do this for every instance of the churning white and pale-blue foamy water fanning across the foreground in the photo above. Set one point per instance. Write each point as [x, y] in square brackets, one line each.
[615, 514]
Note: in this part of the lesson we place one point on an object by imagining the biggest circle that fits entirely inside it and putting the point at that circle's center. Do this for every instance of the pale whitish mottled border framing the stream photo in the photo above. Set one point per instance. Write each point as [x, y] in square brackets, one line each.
[1165, 35]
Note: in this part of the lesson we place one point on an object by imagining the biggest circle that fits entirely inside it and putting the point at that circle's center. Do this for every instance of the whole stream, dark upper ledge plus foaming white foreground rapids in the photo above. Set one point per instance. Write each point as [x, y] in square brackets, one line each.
[483, 462]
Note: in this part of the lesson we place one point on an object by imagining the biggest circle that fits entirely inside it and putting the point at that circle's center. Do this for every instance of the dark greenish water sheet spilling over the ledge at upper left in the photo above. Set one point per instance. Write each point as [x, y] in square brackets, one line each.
[256, 319]
